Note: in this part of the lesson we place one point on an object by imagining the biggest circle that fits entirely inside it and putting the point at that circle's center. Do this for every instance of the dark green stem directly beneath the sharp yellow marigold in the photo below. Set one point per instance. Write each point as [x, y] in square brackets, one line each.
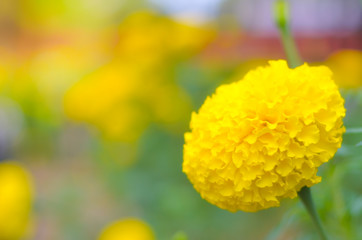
[306, 197]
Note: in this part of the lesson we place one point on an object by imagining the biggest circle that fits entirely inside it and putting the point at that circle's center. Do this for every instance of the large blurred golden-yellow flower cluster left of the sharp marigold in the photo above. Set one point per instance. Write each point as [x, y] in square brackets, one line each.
[138, 86]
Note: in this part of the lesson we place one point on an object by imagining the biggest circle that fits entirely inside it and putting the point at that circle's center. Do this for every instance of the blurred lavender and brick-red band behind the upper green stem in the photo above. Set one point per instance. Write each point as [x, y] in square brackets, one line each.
[319, 28]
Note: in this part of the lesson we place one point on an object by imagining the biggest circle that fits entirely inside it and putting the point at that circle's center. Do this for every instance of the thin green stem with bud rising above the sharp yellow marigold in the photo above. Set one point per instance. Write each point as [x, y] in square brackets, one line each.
[281, 16]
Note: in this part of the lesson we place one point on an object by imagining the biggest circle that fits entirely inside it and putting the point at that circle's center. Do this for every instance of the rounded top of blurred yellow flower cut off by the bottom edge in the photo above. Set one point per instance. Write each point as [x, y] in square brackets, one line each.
[127, 229]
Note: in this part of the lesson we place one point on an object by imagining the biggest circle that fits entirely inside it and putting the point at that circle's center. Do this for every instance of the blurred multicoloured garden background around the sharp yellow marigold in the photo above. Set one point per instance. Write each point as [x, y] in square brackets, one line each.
[95, 97]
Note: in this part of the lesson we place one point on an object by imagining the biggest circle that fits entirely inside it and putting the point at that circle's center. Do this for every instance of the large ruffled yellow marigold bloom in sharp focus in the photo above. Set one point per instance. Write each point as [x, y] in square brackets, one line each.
[259, 140]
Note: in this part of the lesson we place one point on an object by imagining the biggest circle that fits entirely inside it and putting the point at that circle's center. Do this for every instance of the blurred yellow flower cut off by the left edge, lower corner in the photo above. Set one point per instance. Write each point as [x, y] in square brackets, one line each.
[16, 195]
